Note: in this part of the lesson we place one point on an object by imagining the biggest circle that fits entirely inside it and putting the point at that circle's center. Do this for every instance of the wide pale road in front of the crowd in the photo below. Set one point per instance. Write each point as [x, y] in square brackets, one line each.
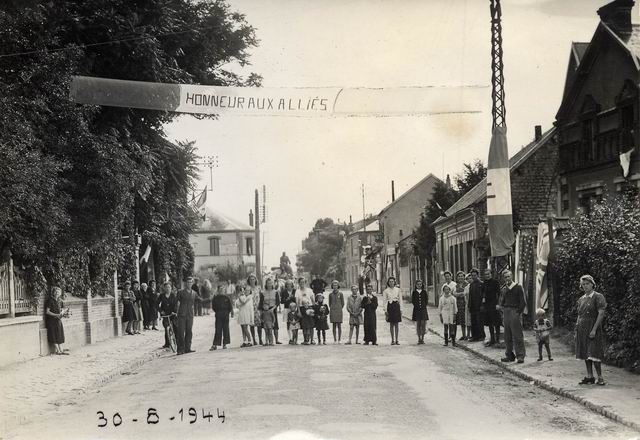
[324, 392]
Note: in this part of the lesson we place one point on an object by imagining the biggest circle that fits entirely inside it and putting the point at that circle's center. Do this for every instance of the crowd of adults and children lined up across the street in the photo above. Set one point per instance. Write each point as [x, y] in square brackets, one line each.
[471, 303]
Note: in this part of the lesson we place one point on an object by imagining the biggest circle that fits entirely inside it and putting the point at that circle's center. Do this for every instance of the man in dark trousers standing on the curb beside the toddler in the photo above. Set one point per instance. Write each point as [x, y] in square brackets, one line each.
[513, 304]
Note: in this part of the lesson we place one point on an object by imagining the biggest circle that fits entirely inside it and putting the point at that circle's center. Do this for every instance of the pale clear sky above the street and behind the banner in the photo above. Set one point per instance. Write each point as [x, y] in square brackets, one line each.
[314, 167]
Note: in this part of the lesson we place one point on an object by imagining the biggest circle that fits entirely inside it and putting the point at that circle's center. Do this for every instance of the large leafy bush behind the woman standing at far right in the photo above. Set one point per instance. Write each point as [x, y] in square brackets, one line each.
[606, 245]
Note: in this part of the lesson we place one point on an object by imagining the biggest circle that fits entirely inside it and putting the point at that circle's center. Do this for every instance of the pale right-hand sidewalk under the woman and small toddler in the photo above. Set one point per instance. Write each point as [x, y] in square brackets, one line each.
[618, 400]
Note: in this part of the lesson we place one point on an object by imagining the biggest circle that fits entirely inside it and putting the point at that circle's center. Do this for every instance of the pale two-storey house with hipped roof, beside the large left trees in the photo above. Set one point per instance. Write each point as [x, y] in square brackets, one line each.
[220, 240]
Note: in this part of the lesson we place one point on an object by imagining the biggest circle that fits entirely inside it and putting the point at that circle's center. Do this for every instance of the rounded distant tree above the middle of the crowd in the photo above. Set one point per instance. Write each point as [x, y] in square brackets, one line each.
[324, 253]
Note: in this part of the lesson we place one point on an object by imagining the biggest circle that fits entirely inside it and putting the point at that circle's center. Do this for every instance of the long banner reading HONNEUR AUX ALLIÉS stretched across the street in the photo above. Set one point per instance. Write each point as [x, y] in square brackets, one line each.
[285, 101]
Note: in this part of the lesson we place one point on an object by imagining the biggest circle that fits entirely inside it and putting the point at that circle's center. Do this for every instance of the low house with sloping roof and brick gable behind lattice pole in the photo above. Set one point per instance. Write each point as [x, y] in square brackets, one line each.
[462, 240]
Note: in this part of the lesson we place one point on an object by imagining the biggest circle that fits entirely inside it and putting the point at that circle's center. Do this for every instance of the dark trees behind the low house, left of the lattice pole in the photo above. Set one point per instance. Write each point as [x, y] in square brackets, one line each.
[442, 198]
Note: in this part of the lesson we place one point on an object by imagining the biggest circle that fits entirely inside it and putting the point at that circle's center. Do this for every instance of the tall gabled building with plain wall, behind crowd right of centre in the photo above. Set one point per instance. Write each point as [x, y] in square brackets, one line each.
[397, 222]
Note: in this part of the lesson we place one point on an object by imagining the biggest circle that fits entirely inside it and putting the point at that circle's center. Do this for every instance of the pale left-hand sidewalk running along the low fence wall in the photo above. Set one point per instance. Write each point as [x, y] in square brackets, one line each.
[40, 386]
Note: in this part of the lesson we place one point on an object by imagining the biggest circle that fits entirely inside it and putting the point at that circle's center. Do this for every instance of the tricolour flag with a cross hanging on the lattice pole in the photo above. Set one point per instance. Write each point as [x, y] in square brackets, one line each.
[499, 195]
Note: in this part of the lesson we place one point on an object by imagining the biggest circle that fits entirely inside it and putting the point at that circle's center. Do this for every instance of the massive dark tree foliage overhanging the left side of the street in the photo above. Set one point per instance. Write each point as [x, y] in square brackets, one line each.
[75, 179]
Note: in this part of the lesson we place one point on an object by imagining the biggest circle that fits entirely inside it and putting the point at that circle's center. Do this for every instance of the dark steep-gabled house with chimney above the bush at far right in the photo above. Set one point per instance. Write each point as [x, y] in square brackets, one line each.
[598, 120]
